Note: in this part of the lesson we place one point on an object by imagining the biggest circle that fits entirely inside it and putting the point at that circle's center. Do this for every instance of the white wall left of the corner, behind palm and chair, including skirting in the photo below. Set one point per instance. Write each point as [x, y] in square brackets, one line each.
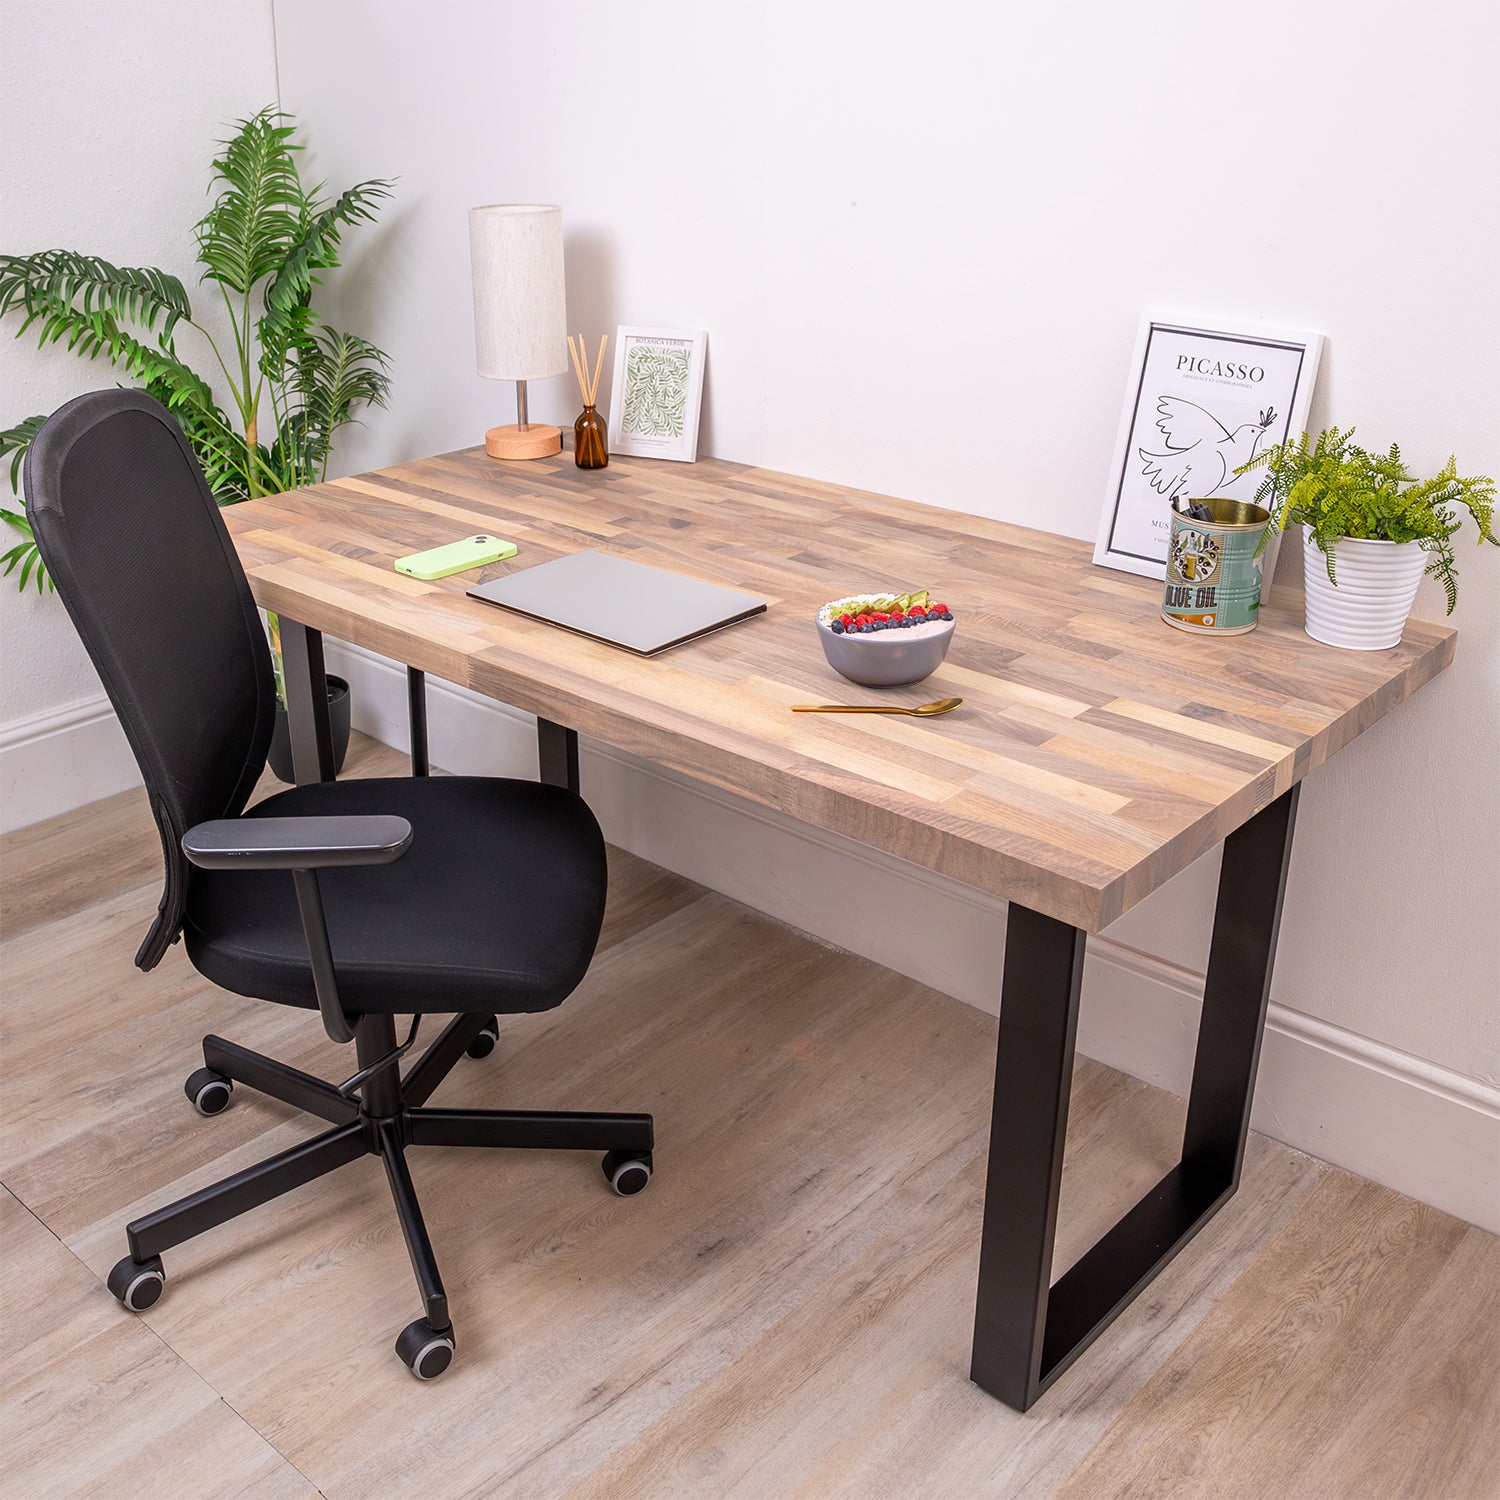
[109, 115]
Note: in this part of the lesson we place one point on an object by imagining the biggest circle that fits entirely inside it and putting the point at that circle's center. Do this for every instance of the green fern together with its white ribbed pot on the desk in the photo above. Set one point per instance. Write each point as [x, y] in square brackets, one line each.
[1373, 530]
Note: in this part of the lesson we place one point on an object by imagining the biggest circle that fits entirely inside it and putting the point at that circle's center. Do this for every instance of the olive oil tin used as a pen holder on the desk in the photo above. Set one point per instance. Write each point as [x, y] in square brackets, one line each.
[1214, 569]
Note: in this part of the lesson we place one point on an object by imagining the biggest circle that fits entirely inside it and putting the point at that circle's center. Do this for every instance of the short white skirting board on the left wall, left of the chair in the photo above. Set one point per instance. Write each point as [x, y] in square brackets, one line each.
[62, 760]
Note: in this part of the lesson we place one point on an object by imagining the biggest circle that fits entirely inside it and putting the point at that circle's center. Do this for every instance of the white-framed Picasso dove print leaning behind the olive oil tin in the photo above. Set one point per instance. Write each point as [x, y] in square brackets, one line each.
[1201, 403]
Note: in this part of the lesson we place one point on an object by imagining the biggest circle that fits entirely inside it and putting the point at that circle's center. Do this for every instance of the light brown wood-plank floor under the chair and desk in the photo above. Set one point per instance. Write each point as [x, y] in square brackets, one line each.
[784, 1315]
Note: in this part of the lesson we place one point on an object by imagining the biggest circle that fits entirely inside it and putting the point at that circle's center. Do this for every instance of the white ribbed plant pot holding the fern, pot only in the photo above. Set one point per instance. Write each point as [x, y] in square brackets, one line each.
[1376, 589]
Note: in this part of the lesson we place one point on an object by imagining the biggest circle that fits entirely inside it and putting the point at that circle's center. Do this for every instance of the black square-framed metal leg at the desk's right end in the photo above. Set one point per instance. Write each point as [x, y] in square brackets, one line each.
[1027, 1330]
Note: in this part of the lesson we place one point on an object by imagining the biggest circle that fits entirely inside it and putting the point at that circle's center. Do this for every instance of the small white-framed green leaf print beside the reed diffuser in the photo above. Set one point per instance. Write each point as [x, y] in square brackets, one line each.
[658, 394]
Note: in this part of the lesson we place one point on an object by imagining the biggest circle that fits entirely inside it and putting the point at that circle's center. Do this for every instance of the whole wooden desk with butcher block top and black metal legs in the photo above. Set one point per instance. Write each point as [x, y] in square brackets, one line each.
[1099, 752]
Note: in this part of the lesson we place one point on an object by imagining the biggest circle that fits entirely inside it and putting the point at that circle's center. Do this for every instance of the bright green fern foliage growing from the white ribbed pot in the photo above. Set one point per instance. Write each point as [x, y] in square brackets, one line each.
[1339, 490]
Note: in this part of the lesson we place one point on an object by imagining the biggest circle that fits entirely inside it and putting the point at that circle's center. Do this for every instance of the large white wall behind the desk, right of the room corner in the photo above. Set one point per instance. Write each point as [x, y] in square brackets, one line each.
[920, 239]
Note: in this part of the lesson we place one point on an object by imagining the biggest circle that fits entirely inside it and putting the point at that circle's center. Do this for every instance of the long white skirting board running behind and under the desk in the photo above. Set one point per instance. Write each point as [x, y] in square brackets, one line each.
[1358, 1103]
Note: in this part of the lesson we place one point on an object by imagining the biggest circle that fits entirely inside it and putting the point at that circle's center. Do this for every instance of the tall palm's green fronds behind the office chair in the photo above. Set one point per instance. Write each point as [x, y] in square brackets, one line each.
[292, 379]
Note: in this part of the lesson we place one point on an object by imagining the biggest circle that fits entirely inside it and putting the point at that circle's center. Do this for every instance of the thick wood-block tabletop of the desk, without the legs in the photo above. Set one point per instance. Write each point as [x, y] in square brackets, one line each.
[1097, 754]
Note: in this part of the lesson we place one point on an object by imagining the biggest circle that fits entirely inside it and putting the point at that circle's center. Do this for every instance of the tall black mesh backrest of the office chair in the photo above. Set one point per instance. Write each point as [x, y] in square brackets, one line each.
[146, 569]
